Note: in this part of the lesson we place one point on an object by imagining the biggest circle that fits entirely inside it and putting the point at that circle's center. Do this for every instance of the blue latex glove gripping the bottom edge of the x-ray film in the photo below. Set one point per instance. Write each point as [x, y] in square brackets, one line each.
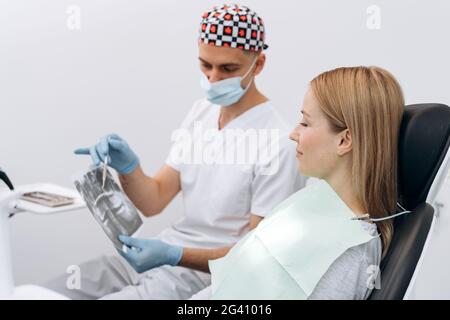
[146, 254]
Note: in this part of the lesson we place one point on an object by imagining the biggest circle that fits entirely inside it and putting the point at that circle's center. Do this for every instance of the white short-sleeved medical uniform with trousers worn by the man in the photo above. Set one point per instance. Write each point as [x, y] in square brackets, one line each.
[218, 201]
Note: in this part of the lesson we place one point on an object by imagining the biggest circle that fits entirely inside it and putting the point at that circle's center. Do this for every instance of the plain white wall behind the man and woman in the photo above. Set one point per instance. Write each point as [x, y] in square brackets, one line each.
[132, 69]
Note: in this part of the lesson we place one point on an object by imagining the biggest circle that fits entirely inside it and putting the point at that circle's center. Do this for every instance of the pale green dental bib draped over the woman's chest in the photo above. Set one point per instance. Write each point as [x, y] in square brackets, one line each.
[290, 251]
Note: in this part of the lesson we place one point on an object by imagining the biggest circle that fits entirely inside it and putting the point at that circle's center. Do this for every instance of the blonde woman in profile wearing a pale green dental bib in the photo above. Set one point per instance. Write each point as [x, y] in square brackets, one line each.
[347, 137]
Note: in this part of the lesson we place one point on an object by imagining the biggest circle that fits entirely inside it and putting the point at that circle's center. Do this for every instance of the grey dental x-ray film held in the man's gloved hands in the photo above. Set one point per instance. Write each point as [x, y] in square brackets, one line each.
[109, 205]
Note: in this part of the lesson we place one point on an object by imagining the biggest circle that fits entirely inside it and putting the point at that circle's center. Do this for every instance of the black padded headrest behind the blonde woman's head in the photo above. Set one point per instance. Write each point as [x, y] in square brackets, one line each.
[423, 143]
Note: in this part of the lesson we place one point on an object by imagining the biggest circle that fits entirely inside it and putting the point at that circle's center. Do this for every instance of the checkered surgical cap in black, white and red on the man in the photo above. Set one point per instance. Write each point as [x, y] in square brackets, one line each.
[233, 26]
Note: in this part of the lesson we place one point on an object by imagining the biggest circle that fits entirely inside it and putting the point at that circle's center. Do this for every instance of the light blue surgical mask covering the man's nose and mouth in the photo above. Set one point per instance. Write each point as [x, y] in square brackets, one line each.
[226, 92]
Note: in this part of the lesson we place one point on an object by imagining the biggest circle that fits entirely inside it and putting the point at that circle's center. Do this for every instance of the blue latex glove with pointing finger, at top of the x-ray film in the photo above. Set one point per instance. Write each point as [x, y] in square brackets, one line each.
[120, 156]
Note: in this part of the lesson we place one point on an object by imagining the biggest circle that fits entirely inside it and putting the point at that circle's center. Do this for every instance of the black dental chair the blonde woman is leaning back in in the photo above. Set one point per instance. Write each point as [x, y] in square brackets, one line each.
[423, 144]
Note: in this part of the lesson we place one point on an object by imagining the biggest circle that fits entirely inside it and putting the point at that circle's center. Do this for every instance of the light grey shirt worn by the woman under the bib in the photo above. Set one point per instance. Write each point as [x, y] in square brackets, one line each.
[353, 275]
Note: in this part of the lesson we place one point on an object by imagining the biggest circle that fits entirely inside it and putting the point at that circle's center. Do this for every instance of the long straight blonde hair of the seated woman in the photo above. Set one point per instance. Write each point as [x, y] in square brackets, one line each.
[368, 101]
